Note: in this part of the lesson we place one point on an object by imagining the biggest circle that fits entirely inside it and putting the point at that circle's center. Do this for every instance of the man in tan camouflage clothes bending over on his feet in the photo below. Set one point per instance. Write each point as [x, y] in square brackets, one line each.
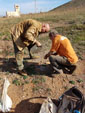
[24, 35]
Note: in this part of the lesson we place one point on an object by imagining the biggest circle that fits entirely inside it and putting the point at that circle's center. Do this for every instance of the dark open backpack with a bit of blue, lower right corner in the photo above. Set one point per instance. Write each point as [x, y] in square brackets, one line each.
[72, 101]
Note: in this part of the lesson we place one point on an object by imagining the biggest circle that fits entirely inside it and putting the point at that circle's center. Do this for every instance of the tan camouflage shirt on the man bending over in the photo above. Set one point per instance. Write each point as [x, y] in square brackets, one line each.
[25, 32]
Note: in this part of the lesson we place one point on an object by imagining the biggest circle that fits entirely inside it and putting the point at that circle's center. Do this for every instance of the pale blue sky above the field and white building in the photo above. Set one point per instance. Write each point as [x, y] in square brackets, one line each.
[28, 6]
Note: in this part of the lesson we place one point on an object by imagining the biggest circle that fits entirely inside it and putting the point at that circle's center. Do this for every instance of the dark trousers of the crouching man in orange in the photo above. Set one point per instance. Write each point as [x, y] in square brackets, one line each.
[61, 62]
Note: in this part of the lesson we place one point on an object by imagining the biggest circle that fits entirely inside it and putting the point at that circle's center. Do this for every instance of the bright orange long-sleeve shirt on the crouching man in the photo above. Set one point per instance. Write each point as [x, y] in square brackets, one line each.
[62, 46]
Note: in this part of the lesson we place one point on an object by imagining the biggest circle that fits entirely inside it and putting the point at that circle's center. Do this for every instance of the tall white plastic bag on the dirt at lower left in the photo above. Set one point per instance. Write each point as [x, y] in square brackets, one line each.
[5, 100]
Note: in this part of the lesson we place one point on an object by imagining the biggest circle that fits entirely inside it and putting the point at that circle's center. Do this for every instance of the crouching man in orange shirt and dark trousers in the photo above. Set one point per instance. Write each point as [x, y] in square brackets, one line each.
[61, 56]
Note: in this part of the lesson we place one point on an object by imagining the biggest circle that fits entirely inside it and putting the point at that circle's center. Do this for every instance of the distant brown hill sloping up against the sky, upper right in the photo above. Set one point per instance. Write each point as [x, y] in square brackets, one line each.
[70, 5]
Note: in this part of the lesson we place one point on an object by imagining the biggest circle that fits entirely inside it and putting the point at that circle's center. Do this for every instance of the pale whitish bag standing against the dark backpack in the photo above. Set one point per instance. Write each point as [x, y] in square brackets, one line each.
[48, 107]
